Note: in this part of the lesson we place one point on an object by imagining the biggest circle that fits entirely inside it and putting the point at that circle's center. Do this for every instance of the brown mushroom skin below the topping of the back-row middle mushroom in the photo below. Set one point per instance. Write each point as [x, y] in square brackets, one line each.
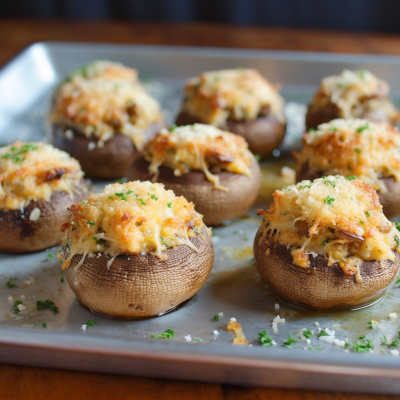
[263, 134]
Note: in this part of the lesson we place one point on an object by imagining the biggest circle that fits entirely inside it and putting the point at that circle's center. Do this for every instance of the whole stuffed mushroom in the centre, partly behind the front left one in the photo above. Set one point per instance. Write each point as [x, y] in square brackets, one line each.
[211, 167]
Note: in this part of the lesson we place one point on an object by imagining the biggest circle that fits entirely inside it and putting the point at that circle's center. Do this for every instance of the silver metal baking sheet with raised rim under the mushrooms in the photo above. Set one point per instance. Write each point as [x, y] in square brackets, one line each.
[234, 286]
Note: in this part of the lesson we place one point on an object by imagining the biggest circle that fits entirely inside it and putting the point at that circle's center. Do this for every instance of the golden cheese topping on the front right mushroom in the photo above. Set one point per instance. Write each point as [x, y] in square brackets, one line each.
[336, 217]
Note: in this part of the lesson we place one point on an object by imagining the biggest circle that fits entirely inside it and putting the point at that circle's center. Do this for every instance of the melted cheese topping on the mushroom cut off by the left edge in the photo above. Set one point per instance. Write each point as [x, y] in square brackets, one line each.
[33, 171]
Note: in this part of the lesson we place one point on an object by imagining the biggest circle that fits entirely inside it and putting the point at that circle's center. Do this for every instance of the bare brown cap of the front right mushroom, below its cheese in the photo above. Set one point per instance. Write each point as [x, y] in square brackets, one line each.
[320, 287]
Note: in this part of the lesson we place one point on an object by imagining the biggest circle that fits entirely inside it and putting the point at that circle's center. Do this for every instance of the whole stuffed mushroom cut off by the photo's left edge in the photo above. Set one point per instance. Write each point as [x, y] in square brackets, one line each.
[37, 184]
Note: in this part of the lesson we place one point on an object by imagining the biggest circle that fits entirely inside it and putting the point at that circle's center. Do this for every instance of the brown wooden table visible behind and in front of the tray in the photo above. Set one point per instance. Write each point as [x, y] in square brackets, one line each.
[28, 383]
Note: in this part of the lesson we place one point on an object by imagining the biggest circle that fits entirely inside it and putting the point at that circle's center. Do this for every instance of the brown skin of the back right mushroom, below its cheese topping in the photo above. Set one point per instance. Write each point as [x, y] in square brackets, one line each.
[315, 117]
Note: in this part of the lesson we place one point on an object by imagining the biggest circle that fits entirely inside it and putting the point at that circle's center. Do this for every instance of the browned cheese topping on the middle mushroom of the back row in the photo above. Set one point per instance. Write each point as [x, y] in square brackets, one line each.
[236, 94]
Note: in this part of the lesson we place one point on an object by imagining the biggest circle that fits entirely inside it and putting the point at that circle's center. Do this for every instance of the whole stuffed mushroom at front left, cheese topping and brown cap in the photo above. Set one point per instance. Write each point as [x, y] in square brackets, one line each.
[135, 250]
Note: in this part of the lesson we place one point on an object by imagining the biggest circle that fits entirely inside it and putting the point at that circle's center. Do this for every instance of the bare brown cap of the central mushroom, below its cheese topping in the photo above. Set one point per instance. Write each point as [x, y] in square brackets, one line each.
[216, 205]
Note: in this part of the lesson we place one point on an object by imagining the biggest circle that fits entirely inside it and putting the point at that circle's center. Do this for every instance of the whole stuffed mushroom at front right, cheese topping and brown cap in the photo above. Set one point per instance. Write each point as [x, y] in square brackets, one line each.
[326, 243]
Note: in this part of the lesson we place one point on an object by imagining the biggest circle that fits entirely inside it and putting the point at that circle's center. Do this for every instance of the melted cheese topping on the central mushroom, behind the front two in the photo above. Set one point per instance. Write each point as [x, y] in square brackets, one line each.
[199, 147]
